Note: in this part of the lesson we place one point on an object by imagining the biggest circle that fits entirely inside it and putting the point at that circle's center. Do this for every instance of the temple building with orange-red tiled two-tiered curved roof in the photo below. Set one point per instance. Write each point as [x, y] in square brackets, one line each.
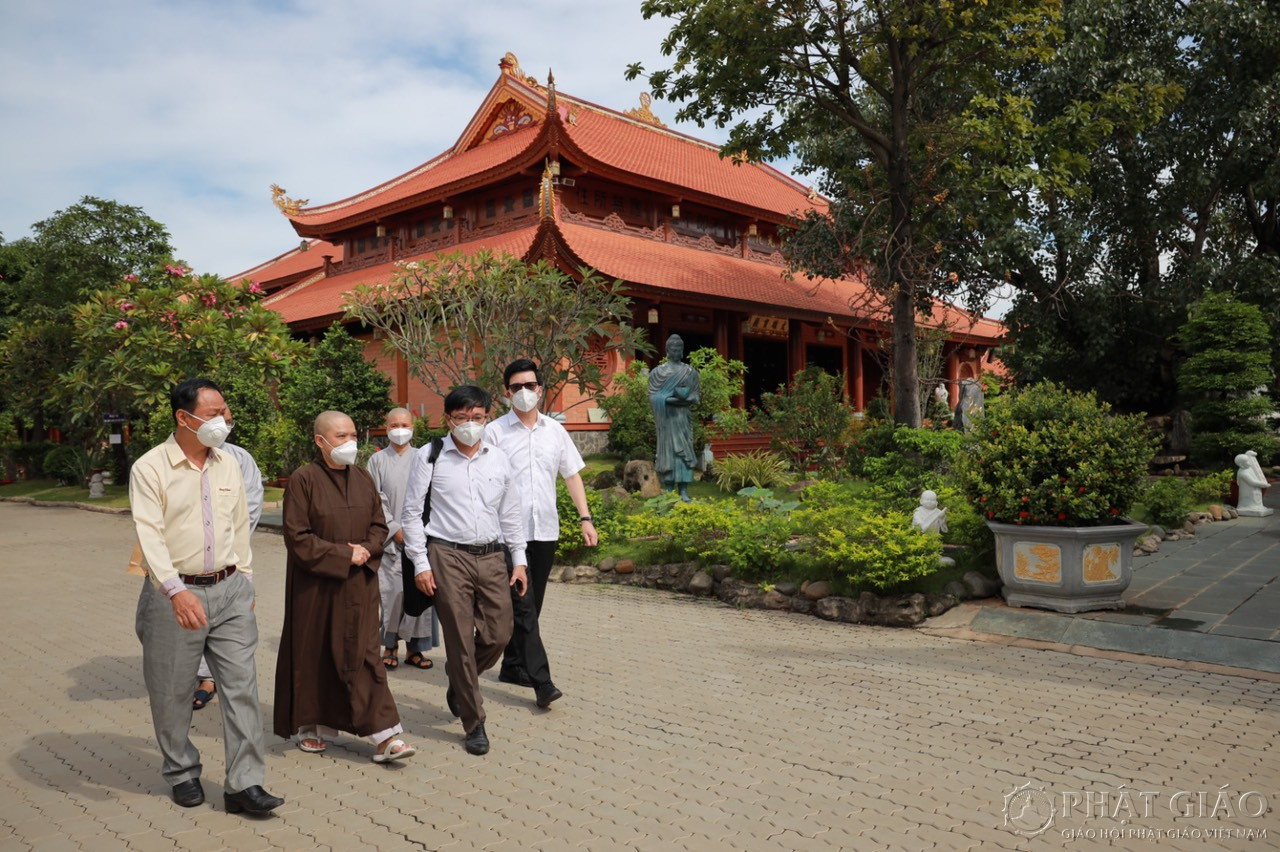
[694, 237]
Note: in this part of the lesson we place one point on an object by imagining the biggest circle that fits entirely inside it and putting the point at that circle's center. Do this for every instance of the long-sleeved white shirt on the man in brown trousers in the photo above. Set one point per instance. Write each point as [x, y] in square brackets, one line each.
[474, 501]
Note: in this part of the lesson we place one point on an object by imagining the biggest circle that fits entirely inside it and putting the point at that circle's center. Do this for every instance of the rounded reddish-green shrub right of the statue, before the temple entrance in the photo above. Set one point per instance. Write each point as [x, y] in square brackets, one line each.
[808, 420]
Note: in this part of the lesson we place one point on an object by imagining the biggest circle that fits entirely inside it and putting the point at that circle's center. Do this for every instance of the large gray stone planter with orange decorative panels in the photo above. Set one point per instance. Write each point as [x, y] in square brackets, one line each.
[1068, 570]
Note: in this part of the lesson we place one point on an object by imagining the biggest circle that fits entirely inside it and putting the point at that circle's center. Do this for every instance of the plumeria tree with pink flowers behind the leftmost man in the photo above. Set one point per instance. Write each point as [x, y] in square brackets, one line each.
[138, 338]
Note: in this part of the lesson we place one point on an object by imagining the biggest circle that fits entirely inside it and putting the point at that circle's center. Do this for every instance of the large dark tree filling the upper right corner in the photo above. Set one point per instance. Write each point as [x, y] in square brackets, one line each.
[1187, 204]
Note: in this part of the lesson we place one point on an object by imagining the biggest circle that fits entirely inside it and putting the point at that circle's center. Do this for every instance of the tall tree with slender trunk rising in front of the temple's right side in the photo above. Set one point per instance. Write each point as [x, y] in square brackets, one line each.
[903, 107]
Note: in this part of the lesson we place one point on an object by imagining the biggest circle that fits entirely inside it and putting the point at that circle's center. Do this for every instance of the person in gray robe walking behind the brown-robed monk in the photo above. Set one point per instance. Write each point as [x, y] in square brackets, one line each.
[390, 469]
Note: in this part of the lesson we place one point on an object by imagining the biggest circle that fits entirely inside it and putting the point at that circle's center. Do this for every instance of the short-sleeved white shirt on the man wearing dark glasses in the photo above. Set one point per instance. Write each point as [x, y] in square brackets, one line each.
[537, 456]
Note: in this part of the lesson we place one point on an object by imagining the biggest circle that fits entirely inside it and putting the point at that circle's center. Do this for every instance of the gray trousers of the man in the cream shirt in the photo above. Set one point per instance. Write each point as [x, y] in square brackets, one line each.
[170, 658]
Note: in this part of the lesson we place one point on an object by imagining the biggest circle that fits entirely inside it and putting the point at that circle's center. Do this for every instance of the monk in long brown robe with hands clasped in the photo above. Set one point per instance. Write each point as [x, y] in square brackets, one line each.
[330, 676]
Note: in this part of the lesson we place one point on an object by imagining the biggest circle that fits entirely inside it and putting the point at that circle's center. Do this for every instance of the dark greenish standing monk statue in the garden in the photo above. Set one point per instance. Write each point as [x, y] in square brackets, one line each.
[675, 388]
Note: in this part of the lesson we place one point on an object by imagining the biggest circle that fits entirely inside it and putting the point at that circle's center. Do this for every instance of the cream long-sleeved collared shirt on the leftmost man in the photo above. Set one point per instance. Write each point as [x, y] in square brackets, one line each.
[190, 521]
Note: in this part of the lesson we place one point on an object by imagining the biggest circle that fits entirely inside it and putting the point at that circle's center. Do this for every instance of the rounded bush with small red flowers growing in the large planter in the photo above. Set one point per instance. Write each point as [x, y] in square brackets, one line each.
[1048, 456]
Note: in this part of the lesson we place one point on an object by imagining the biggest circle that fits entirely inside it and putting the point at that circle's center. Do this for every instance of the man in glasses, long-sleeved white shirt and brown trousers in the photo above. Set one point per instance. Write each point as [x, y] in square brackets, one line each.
[459, 552]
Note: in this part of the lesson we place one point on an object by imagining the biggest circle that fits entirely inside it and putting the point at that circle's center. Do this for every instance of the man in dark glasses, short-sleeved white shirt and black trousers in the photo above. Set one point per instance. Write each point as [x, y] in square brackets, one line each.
[540, 450]
